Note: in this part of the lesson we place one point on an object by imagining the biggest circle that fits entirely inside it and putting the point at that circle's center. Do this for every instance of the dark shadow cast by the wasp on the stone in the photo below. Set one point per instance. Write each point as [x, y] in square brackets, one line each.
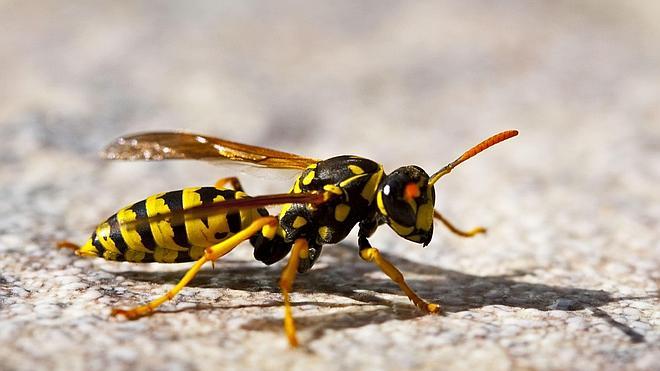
[345, 274]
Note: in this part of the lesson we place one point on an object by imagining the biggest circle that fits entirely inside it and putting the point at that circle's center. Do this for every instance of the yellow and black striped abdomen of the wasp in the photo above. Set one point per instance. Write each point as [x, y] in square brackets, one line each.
[176, 239]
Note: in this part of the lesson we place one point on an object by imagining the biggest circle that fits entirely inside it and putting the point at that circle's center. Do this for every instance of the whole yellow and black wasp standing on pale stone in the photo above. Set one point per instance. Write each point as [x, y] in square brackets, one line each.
[328, 199]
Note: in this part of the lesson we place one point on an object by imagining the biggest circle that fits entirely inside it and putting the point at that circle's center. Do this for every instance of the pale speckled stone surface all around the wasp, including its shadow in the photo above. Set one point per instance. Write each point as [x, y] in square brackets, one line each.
[567, 277]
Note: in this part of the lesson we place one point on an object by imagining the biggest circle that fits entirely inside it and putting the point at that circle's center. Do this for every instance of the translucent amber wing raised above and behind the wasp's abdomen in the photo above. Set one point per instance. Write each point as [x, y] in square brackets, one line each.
[176, 146]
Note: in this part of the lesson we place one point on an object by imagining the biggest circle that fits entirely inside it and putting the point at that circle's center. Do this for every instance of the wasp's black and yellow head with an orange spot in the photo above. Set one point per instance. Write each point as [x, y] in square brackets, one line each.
[405, 199]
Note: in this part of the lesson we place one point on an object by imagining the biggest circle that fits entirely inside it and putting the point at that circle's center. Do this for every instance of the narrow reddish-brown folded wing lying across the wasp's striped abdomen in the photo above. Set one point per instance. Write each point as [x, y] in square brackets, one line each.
[177, 217]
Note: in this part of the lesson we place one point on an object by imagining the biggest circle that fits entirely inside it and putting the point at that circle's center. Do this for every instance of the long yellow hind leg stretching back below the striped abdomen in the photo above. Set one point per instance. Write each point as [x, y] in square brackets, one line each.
[268, 226]
